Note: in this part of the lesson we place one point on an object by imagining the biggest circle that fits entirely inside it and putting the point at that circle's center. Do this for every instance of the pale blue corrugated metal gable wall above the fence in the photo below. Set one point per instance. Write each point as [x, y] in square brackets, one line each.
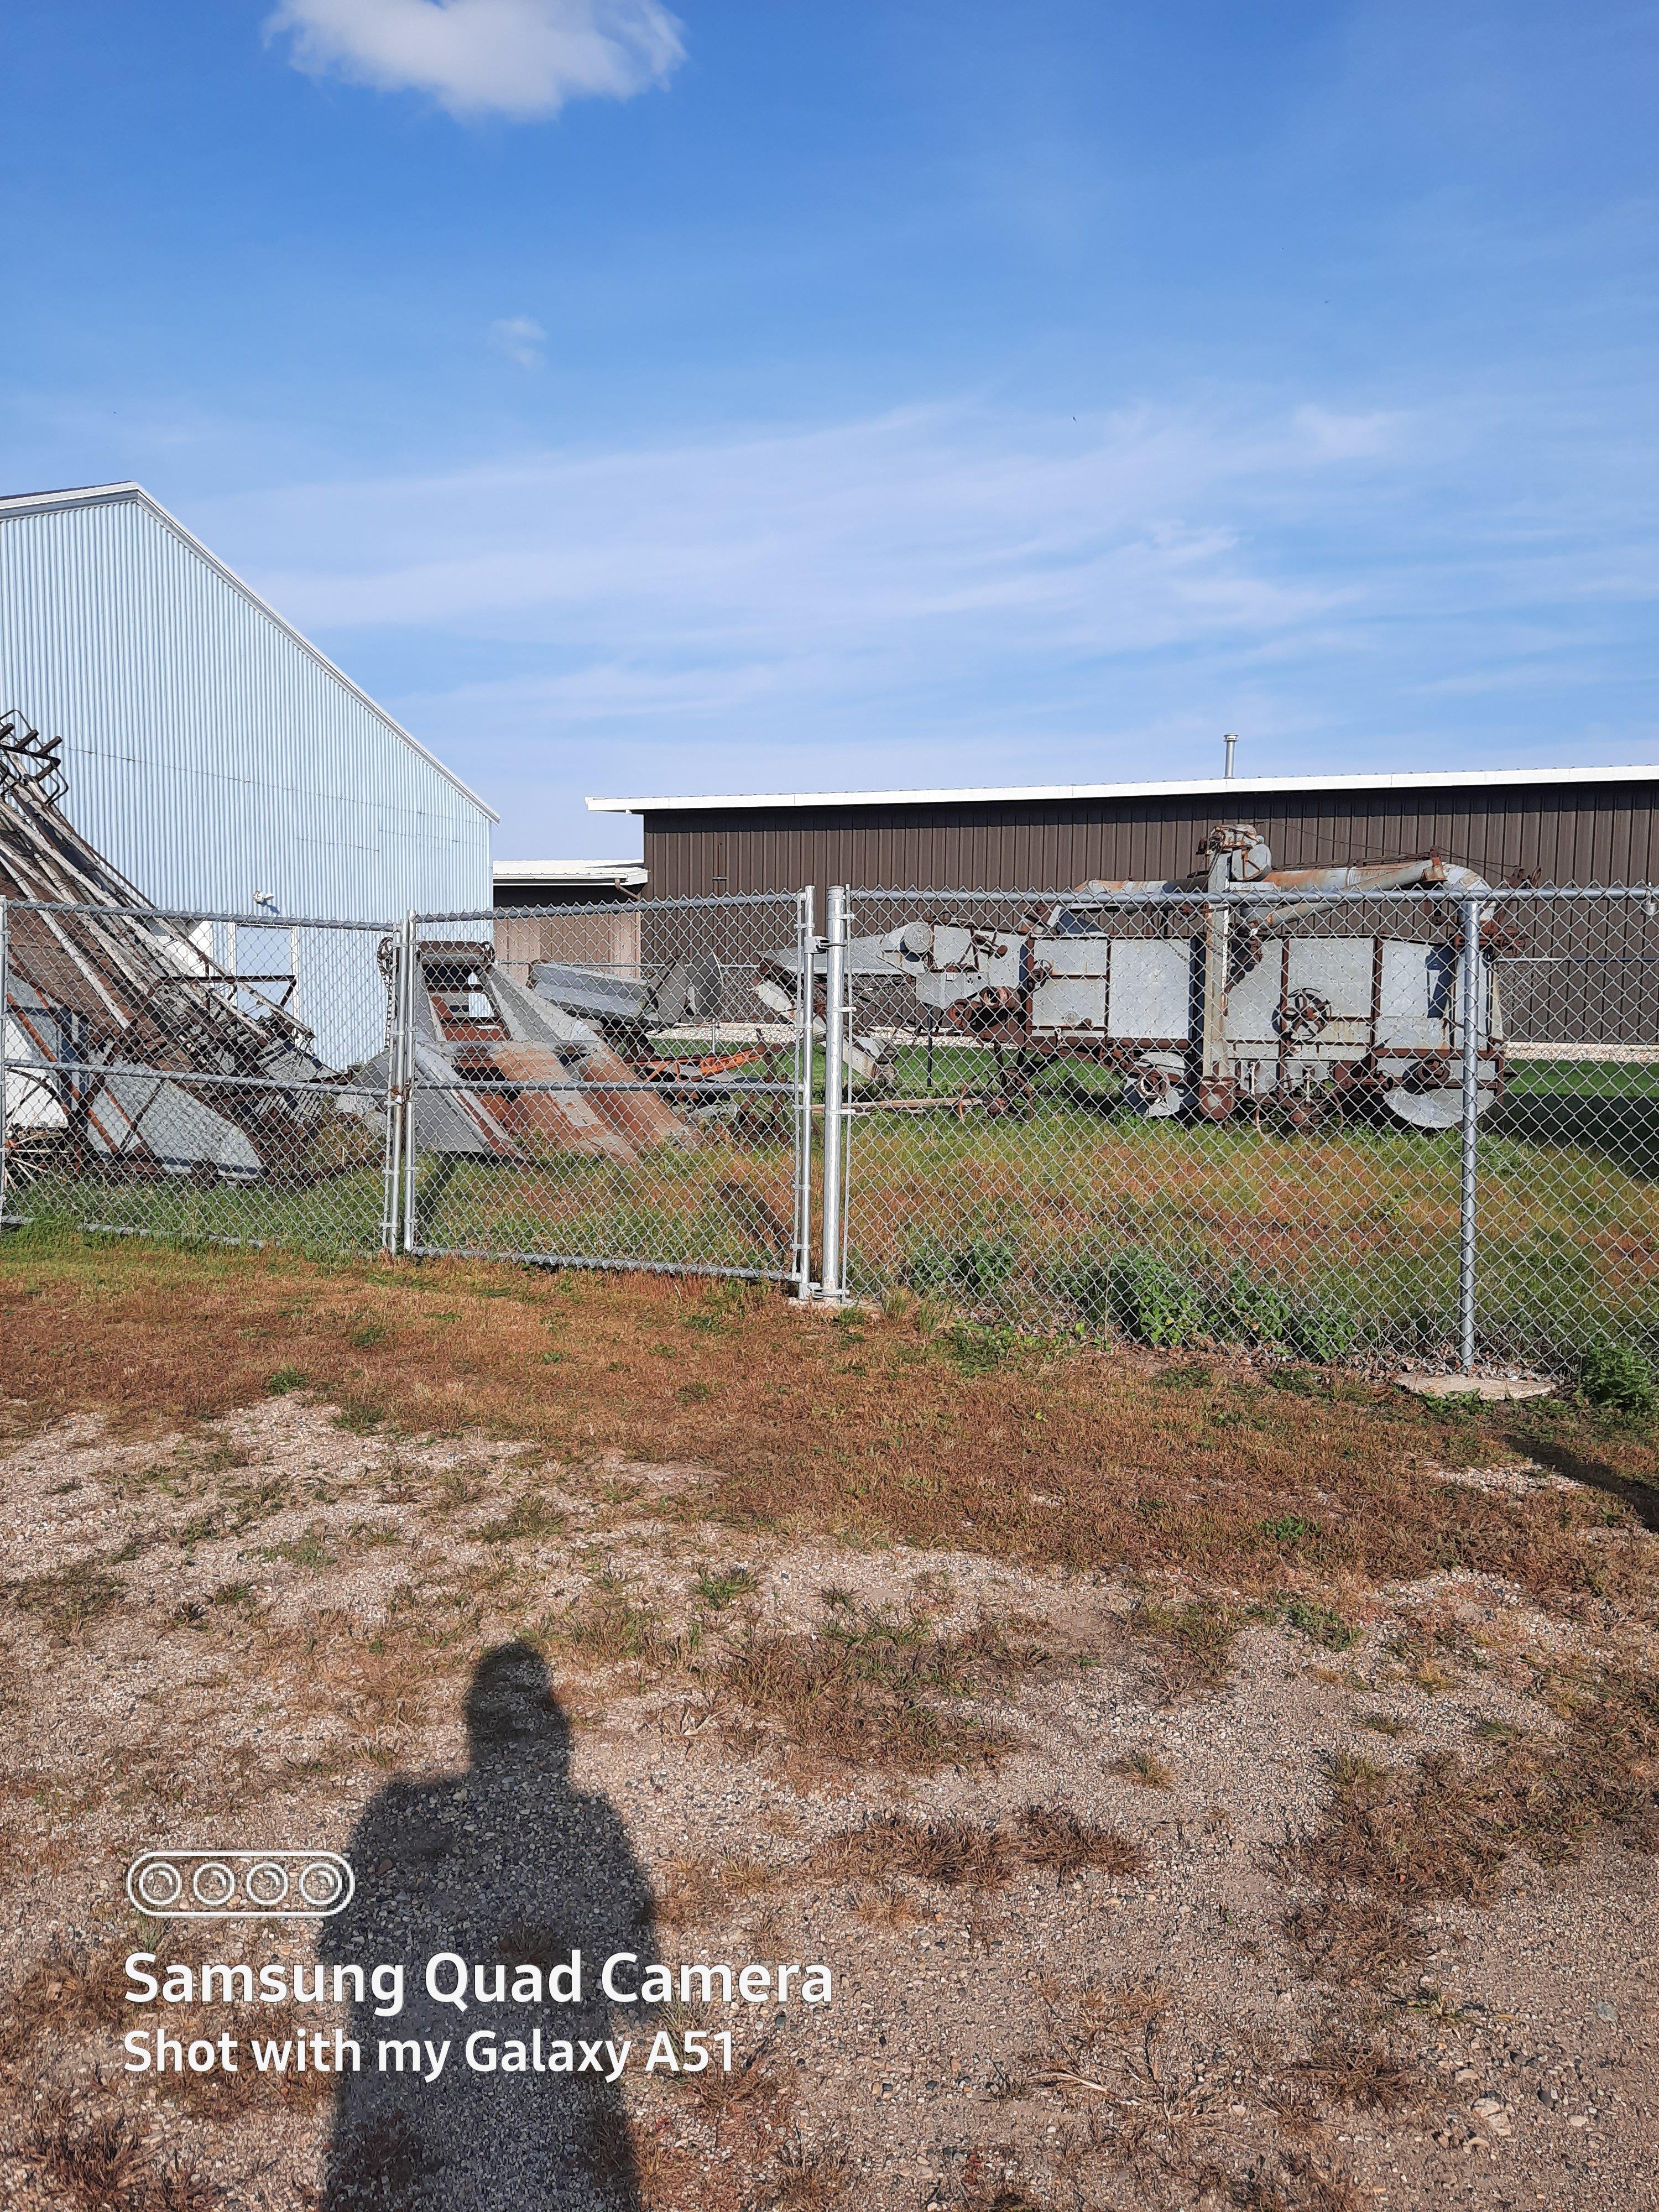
[209, 755]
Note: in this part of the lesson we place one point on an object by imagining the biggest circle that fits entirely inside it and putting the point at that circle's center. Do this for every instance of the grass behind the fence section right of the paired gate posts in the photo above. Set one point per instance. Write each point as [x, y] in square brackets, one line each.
[1328, 1244]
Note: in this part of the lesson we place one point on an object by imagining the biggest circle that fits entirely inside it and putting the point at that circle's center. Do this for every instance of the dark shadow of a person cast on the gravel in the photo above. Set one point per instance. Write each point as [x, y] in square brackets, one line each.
[508, 1868]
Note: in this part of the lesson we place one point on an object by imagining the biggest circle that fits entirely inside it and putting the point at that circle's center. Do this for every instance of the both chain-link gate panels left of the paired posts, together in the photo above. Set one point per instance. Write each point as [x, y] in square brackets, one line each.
[578, 1087]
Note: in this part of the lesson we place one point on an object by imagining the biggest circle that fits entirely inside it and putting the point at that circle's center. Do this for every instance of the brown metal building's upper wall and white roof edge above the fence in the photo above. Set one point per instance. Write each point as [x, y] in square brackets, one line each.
[1567, 826]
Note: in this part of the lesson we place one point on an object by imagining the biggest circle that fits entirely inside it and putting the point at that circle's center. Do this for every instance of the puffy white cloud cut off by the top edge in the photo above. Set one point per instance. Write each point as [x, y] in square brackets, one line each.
[519, 59]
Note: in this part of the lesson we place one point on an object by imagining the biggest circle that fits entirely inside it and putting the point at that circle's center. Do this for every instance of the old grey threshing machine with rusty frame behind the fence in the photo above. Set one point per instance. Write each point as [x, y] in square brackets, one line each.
[1249, 988]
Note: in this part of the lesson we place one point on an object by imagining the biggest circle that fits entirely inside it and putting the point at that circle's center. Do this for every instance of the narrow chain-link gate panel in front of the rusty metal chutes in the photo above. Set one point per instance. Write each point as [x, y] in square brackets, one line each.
[607, 1087]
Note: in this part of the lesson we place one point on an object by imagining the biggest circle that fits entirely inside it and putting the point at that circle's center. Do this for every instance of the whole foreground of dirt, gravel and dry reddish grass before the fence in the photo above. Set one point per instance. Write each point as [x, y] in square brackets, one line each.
[1189, 1839]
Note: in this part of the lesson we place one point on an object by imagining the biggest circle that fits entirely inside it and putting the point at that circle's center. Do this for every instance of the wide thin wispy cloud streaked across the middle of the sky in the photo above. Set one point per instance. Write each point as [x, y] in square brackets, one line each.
[928, 536]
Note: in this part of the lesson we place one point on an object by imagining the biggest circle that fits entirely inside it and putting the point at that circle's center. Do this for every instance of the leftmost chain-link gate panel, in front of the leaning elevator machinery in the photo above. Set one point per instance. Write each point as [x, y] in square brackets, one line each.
[205, 1078]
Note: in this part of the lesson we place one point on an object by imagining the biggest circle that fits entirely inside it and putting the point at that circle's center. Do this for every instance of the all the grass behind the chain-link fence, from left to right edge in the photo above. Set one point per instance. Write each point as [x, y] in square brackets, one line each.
[1074, 1215]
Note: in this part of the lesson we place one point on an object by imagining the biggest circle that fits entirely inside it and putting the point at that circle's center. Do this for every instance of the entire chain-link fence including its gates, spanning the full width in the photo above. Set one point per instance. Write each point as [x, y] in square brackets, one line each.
[1235, 1116]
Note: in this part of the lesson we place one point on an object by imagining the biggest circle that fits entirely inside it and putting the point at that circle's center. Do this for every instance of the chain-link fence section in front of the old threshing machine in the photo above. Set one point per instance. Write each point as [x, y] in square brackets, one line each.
[1249, 1116]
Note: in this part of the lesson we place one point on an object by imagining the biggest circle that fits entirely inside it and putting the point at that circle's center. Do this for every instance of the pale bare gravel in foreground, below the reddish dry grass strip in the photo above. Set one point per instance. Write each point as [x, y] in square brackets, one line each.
[271, 1634]
